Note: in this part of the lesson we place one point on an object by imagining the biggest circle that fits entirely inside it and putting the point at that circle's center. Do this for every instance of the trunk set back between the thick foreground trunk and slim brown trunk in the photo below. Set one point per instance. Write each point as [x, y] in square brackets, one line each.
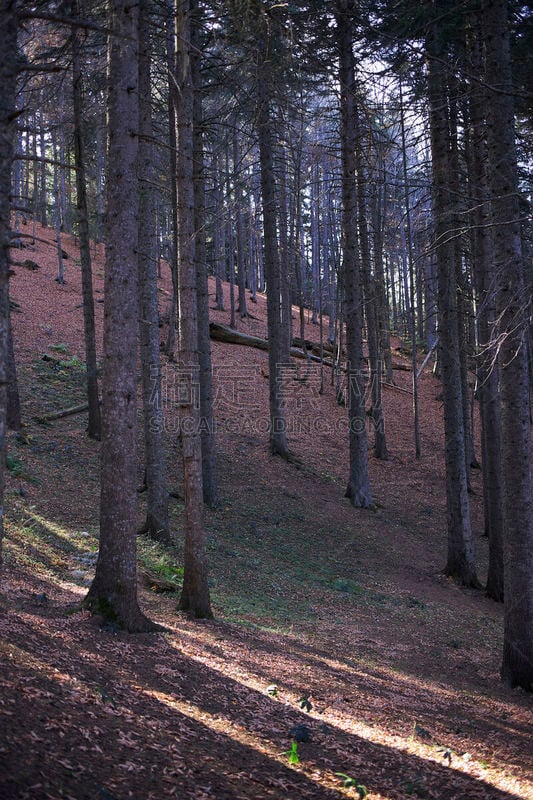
[157, 524]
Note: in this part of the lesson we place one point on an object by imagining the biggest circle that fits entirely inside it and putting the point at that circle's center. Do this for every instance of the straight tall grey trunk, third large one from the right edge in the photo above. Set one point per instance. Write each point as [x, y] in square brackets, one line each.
[460, 561]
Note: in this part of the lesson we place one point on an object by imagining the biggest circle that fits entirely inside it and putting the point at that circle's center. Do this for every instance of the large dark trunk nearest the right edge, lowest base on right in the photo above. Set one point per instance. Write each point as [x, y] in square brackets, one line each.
[517, 663]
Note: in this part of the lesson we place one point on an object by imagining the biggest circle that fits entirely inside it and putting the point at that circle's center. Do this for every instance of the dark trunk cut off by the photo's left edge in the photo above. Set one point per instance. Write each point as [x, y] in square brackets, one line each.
[8, 79]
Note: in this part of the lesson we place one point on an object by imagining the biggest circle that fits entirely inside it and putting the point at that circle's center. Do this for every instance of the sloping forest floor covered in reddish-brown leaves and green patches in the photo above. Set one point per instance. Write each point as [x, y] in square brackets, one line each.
[331, 624]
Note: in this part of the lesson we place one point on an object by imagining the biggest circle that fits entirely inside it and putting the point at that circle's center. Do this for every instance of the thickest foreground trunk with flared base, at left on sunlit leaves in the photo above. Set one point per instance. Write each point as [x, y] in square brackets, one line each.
[113, 592]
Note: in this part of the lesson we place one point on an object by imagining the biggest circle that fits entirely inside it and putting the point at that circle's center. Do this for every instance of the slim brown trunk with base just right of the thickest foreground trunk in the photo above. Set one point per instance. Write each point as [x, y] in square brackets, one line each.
[195, 593]
